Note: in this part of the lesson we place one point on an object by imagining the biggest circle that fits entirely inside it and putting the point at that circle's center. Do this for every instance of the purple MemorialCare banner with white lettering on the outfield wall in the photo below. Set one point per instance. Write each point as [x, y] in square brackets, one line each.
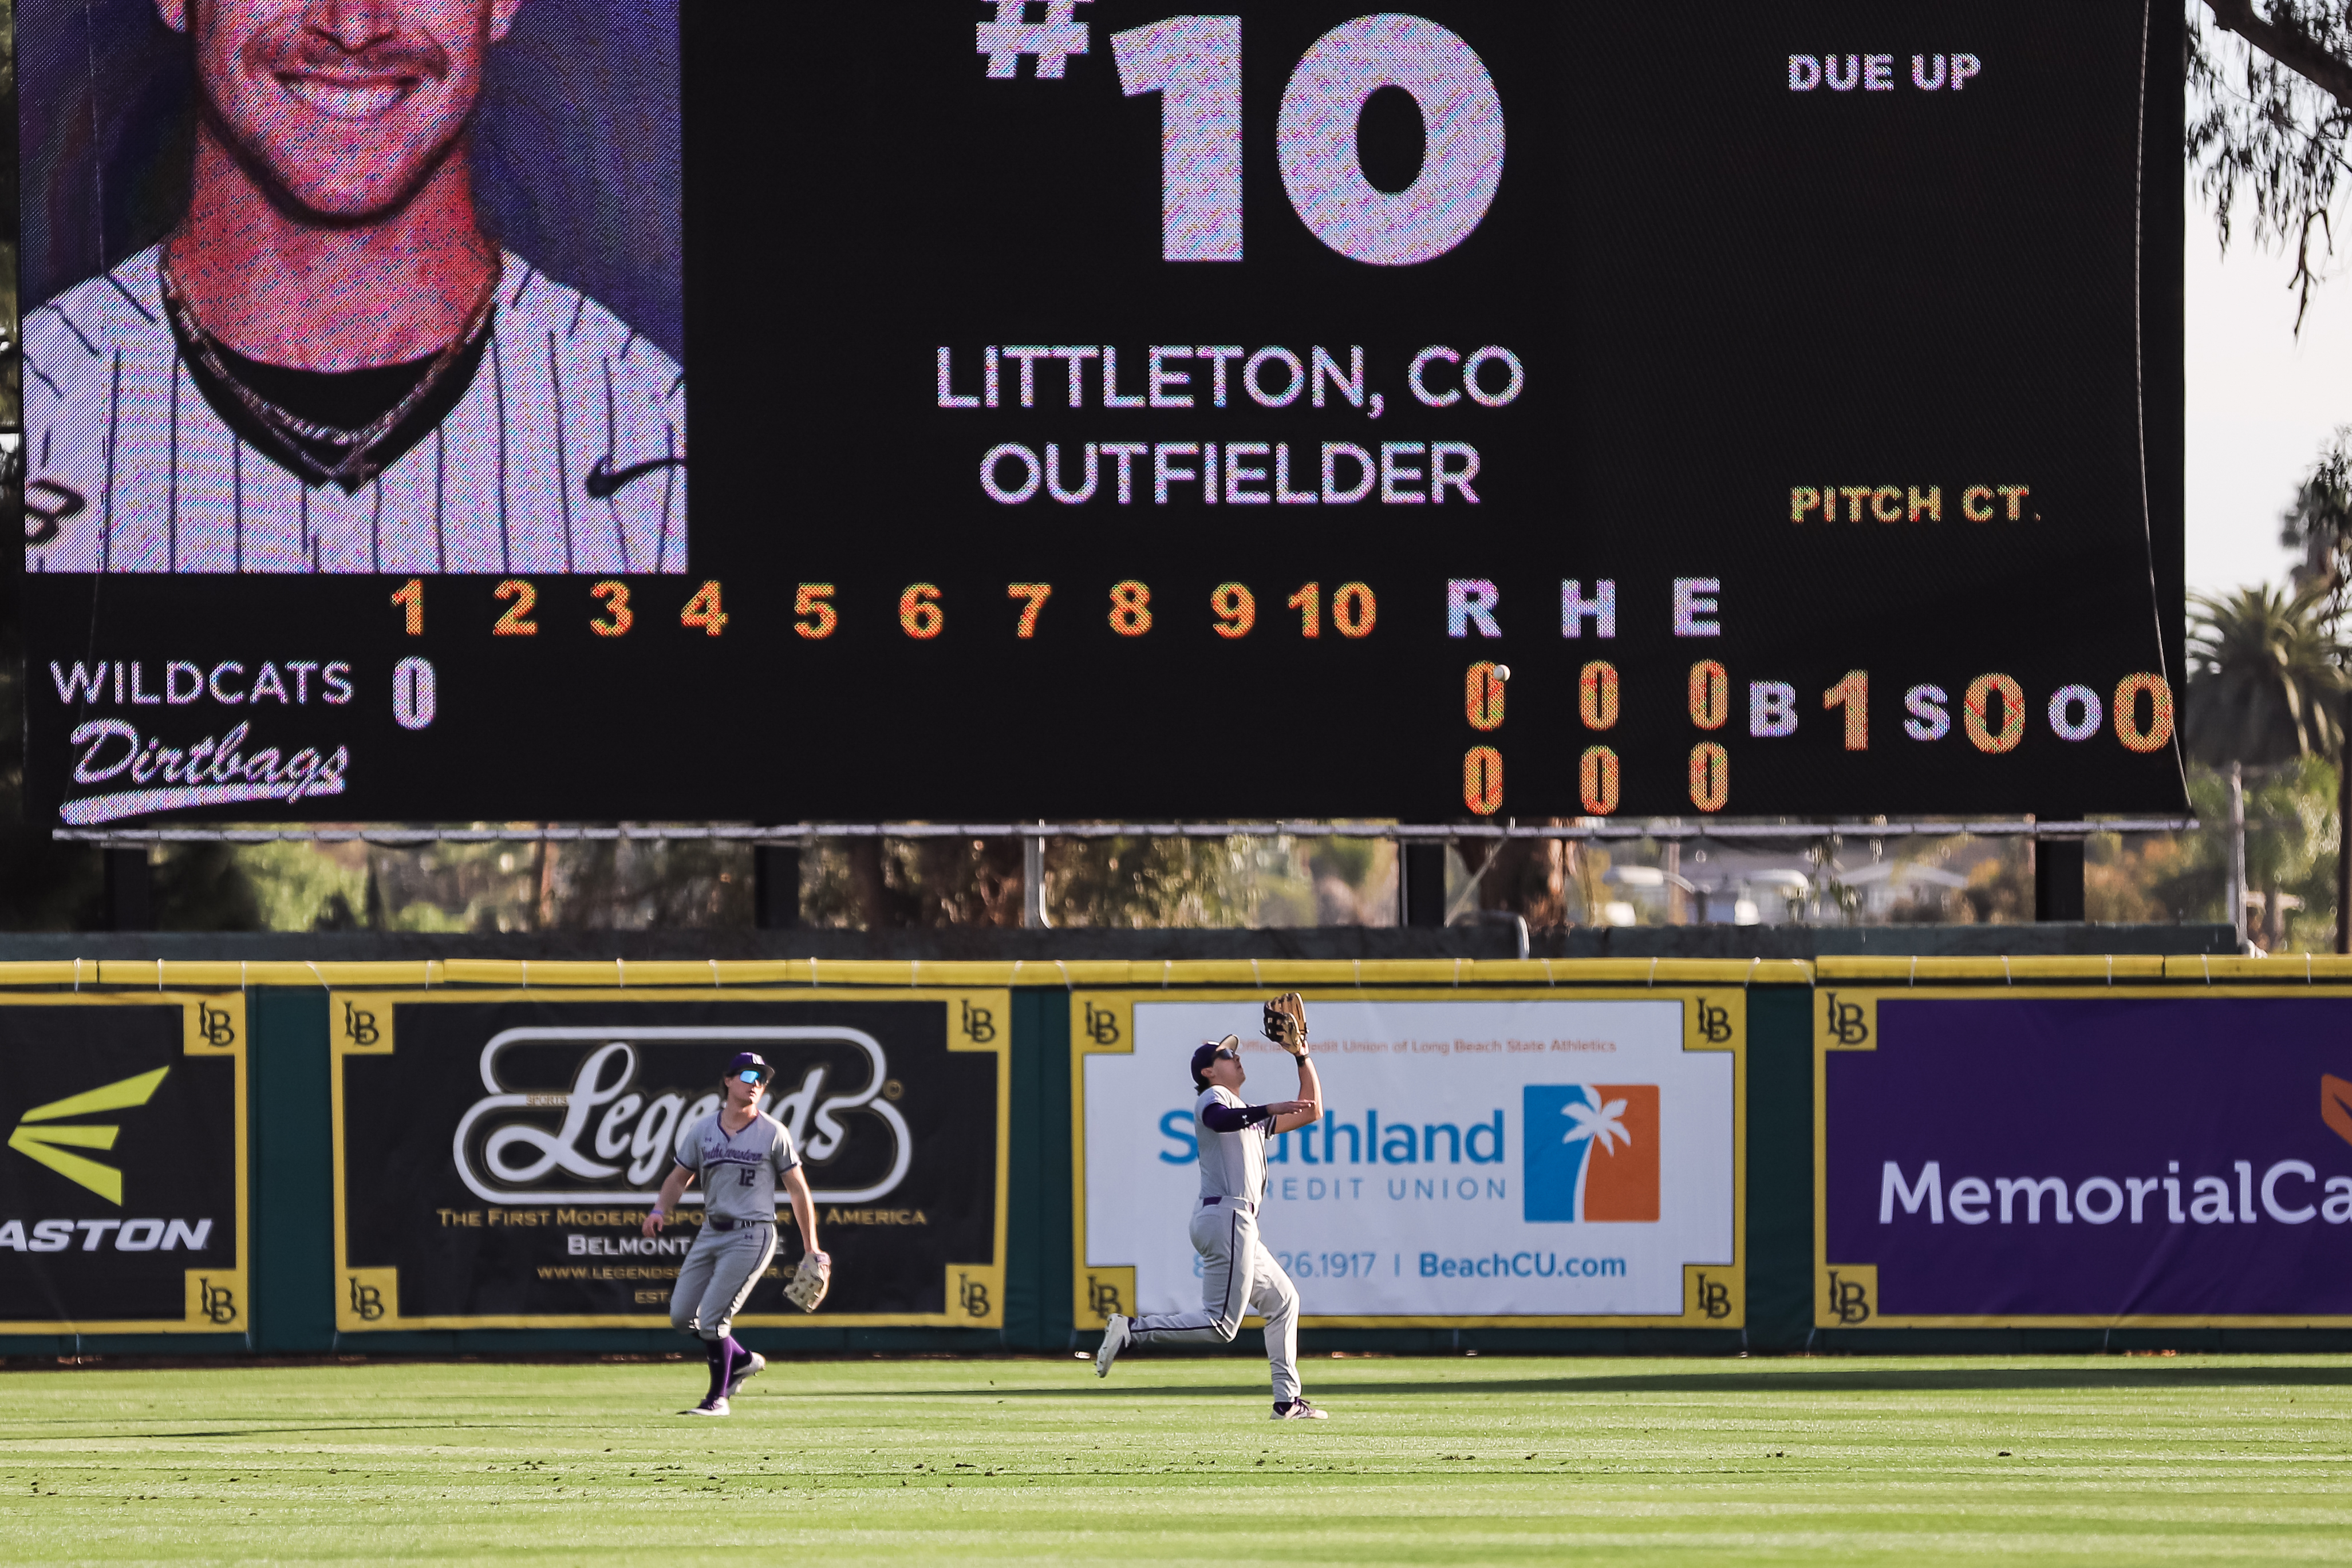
[2083, 1158]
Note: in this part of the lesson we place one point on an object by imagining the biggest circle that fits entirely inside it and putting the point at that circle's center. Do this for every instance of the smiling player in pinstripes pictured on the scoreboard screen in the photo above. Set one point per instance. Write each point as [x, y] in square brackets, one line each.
[330, 366]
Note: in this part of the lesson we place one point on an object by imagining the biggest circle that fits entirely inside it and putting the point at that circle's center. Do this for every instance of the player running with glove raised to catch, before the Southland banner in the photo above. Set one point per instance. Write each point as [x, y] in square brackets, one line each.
[1234, 1264]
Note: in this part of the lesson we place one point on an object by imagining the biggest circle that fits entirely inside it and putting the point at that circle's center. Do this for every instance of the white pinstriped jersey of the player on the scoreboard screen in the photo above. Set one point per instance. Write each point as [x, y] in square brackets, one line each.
[566, 453]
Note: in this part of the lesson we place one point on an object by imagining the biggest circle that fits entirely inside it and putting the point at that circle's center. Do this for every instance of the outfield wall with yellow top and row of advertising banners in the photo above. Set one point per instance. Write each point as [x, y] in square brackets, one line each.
[1758, 1155]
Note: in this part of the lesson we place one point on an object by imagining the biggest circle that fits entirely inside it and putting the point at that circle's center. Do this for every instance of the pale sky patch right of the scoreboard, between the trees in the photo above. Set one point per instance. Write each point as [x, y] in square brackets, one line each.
[2261, 403]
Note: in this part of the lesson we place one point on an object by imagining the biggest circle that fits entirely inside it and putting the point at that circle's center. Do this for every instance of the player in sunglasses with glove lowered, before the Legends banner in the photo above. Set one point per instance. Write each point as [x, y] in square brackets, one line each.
[737, 1153]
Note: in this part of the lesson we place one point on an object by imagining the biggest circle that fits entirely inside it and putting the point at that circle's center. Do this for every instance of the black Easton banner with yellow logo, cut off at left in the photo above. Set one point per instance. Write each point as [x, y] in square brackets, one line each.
[123, 1179]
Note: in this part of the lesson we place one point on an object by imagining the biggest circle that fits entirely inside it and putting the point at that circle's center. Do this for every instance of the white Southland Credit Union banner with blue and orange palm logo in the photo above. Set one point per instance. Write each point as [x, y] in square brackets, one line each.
[1528, 1158]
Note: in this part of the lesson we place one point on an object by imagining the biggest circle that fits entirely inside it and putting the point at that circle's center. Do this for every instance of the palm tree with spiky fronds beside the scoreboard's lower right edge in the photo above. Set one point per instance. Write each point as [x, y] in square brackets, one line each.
[2266, 676]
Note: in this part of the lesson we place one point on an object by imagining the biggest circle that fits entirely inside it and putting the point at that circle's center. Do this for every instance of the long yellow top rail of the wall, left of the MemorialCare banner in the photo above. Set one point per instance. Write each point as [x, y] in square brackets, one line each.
[900, 974]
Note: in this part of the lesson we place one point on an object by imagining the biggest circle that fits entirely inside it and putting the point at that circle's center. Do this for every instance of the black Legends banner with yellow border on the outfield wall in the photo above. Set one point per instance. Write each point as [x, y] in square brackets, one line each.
[497, 1153]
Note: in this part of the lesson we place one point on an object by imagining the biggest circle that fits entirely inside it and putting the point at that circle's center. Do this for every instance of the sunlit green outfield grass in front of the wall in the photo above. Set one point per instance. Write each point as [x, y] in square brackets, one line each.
[1441, 1461]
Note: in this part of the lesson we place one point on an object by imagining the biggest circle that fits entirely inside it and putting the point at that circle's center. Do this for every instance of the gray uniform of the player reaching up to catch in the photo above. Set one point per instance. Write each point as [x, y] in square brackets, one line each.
[1234, 1264]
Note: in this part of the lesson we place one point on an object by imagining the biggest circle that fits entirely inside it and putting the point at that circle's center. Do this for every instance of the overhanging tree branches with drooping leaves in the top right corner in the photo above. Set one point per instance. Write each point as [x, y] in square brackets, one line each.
[2271, 112]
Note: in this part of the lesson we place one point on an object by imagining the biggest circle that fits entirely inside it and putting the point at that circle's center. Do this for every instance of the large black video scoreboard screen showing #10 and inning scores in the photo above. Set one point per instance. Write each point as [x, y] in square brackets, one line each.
[1090, 410]
